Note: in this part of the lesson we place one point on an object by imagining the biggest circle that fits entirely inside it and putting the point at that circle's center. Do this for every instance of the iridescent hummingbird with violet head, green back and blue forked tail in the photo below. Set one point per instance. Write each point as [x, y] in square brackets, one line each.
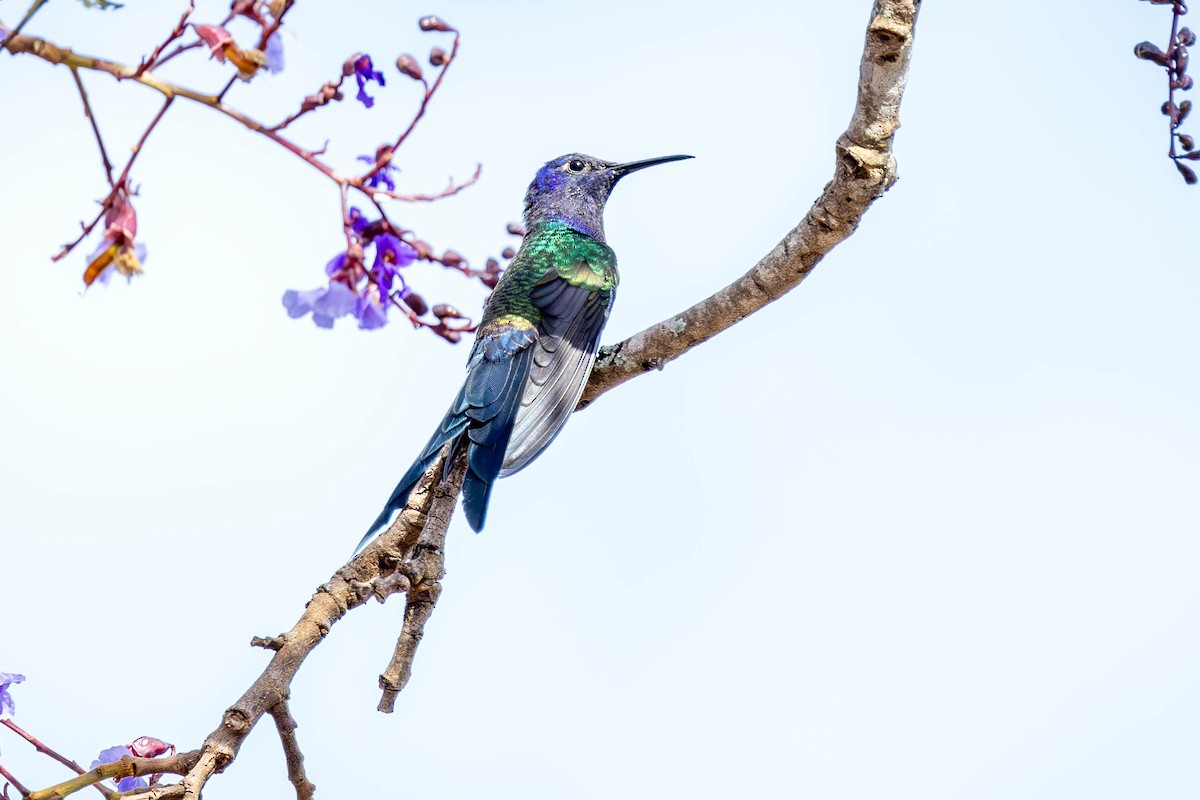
[538, 339]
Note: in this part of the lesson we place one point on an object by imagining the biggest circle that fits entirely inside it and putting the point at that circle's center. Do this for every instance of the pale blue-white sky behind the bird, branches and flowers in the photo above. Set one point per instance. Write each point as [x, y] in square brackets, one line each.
[923, 530]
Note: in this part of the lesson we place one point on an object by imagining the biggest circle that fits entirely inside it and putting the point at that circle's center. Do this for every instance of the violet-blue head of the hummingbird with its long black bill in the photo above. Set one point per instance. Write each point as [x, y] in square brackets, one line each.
[573, 189]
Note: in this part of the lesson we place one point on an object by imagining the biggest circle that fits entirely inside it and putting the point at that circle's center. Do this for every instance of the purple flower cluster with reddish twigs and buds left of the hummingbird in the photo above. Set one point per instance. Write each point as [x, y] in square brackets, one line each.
[365, 281]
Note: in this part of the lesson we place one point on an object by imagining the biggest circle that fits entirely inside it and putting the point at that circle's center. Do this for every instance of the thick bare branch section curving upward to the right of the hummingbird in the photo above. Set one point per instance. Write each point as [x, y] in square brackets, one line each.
[863, 171]
